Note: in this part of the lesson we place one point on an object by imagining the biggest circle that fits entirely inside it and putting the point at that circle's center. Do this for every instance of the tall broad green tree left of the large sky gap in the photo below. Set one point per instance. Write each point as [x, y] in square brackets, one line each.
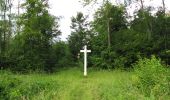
[32, 48]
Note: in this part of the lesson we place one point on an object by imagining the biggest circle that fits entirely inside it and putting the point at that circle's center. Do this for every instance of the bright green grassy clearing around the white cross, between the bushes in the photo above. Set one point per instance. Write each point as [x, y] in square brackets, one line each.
[70, 84]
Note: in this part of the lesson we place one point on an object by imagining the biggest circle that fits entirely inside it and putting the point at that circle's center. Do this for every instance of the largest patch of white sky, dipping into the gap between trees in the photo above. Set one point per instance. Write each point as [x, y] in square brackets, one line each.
[66, 9]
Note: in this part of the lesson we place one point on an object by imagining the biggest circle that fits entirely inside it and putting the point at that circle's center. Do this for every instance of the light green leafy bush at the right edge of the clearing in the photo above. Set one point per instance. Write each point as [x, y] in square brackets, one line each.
[151, 78]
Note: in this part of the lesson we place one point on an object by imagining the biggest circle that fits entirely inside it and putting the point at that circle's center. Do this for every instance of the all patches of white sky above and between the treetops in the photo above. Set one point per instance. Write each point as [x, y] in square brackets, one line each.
[68, 8]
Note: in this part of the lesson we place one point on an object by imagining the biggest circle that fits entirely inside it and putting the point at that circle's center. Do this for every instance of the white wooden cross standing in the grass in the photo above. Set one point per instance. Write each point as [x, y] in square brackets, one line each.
[85, 59]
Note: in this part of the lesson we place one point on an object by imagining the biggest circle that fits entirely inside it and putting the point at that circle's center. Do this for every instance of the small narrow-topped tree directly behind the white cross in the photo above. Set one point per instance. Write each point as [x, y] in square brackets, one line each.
[80, 34]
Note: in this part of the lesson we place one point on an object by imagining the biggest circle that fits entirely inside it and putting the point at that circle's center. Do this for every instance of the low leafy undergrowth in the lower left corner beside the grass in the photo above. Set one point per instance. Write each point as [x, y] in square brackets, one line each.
[13, 88]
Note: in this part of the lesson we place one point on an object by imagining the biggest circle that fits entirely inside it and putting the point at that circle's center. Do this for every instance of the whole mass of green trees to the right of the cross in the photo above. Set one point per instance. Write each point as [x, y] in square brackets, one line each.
[144, 36]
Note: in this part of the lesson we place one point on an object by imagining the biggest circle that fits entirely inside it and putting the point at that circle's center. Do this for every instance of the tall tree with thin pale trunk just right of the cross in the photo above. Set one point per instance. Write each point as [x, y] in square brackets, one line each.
[103, 55]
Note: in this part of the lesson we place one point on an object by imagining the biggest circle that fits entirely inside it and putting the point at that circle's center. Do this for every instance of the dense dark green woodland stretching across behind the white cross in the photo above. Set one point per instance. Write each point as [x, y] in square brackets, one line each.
[29, 40]
